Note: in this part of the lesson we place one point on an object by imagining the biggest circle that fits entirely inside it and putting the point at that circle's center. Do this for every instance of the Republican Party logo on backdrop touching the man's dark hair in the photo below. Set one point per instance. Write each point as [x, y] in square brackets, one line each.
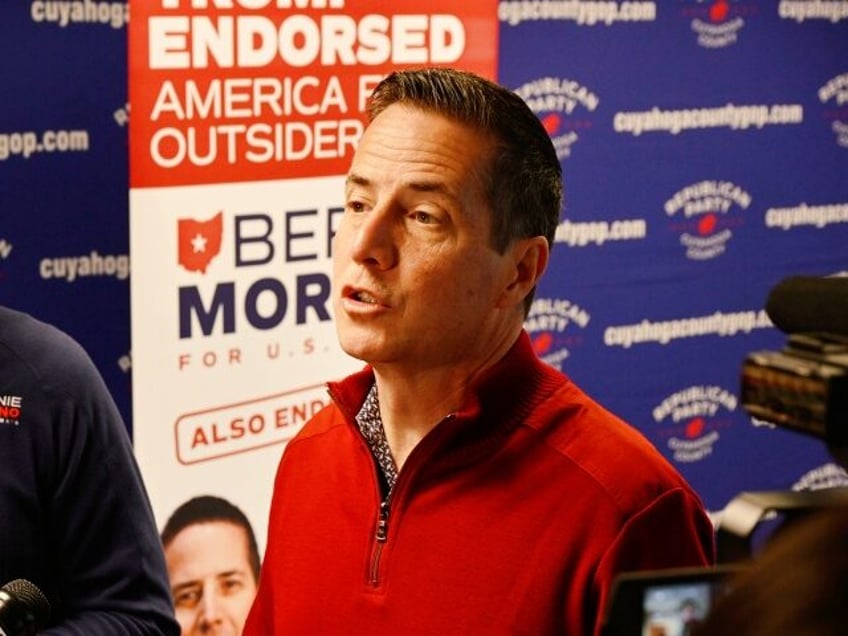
[560, 103]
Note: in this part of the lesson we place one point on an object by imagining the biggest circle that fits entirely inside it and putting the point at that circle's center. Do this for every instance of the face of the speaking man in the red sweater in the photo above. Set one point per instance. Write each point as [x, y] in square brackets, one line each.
[416, 281]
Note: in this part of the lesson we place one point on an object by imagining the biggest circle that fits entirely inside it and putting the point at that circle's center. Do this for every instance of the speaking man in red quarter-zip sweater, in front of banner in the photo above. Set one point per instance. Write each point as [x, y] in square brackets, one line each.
[458, 484]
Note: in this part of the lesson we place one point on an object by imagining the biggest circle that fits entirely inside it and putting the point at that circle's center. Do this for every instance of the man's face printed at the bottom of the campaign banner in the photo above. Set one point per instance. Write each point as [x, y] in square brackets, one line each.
[211, 581]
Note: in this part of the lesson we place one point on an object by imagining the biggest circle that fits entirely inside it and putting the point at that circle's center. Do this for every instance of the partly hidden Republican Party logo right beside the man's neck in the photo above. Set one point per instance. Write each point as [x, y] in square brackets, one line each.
[547, 322]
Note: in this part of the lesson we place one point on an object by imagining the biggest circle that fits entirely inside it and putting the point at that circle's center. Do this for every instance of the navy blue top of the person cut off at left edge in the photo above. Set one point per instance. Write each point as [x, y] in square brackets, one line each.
[76, 520]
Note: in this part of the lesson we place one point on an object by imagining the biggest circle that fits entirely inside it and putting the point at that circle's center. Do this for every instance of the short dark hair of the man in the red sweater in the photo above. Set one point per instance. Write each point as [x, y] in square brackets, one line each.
[524, 179]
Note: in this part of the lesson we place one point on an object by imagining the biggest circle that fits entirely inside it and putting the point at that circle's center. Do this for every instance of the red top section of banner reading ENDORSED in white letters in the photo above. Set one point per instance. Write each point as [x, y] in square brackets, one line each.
[249, 90]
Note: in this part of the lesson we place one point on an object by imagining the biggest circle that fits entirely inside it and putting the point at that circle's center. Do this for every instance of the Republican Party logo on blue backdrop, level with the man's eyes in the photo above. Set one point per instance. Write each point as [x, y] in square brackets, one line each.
[704, 216]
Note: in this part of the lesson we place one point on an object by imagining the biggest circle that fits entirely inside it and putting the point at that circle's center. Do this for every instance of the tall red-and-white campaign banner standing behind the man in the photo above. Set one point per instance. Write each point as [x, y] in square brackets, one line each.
[245, 116]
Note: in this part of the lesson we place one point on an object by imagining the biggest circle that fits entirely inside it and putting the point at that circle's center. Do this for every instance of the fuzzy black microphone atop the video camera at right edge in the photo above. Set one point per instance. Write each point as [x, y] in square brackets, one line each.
[810, 304]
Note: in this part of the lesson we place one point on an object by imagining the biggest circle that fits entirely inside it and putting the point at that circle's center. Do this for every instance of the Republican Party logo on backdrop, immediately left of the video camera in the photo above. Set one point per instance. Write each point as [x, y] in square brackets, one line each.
[691, 420]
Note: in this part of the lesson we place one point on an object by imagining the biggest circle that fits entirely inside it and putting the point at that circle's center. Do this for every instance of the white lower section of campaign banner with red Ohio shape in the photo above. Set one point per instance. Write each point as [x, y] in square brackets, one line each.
[233, 338]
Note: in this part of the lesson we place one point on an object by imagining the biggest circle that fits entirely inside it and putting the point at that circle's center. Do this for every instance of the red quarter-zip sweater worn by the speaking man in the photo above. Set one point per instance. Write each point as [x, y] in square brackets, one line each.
[512, 516]
